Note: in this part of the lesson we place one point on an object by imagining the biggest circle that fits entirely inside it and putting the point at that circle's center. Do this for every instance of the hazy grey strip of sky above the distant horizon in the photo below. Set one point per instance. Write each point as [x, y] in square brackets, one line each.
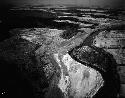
[86, 3]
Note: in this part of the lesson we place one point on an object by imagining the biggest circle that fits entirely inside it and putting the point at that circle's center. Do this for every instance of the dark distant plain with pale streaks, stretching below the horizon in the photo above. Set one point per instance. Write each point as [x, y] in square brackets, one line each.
[71, 18]
